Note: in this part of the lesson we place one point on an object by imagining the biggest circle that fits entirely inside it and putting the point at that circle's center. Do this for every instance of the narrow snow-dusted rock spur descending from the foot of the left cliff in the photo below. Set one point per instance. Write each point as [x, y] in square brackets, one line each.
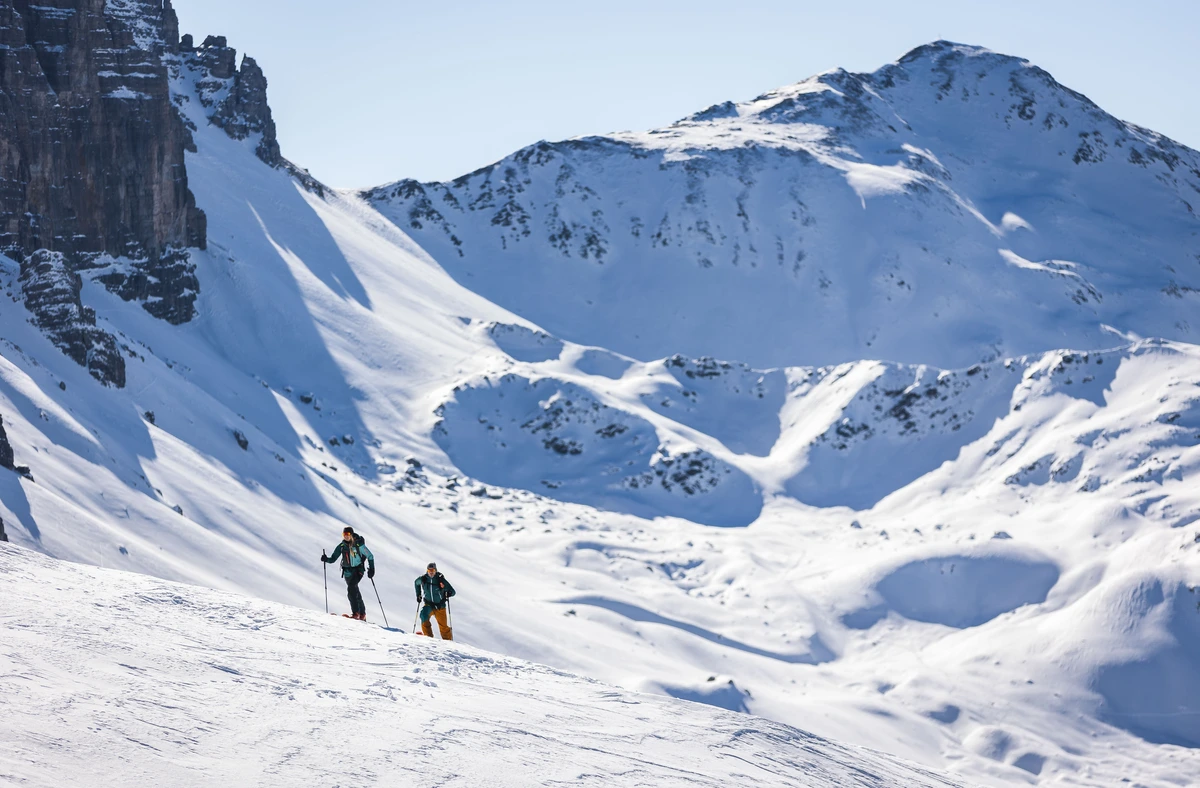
[52, 293]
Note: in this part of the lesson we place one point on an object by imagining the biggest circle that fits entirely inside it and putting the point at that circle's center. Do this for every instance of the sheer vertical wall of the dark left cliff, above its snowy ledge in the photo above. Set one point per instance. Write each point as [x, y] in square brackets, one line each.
[92, 148]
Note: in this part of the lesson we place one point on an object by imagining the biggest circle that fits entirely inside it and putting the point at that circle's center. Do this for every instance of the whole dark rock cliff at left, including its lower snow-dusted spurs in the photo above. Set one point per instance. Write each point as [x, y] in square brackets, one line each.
[92, 166]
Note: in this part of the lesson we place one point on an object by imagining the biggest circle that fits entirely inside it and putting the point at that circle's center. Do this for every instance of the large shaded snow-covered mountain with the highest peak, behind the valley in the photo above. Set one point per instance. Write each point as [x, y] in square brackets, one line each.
[951, 208]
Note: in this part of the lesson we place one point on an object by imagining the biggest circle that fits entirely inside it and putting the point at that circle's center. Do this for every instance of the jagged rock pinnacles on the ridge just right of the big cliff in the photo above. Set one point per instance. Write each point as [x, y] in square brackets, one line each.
[244, 110]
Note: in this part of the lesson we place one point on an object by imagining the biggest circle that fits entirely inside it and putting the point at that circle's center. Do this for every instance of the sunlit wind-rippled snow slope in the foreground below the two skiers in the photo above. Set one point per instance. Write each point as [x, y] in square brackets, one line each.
[116, 679]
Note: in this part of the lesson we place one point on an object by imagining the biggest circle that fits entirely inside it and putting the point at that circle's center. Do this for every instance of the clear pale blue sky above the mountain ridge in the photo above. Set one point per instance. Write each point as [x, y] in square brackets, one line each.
[369, 92]
